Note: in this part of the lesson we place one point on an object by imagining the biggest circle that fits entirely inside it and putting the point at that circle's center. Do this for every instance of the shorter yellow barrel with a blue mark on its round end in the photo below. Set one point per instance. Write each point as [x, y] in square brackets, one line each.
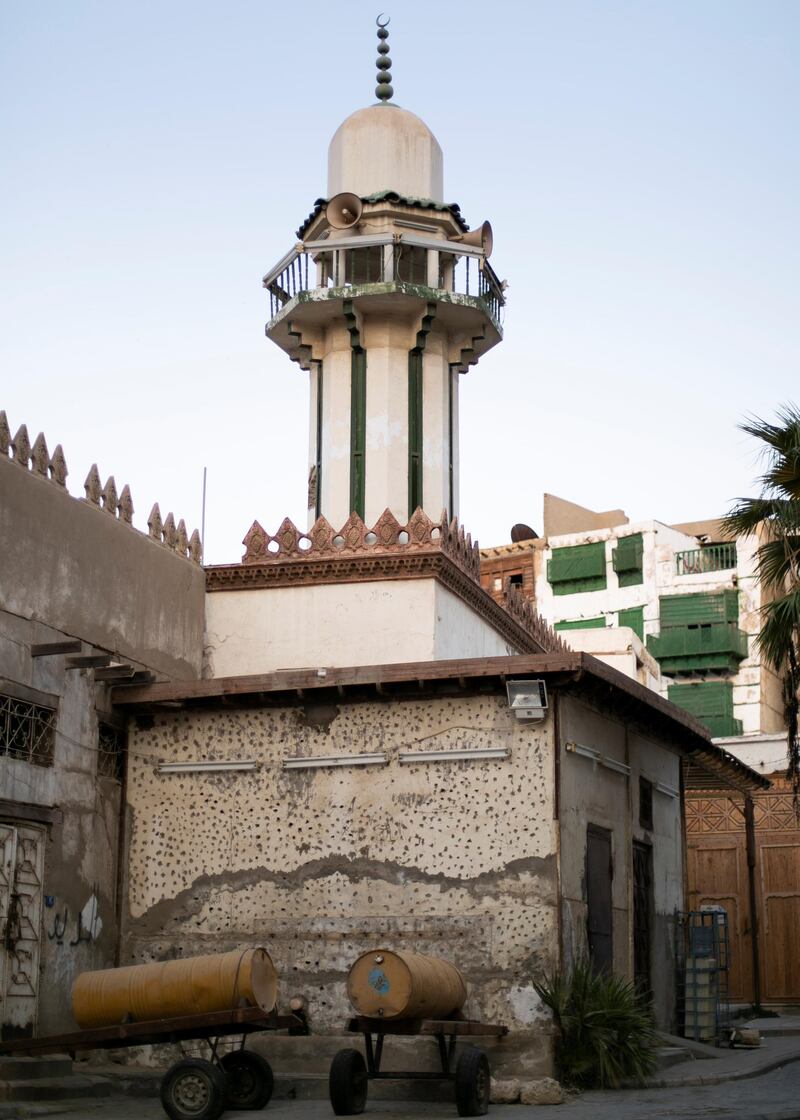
[387, 985]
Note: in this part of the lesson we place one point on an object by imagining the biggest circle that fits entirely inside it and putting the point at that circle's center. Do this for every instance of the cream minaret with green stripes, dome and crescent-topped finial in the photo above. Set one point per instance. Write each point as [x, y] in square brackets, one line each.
[386, 300]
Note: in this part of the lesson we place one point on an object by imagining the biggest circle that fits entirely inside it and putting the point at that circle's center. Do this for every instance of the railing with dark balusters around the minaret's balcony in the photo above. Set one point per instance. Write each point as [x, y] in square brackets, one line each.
[435, 264]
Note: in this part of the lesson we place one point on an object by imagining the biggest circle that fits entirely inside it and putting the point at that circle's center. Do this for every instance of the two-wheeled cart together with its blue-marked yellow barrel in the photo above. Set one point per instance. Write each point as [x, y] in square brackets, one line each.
[413, 995]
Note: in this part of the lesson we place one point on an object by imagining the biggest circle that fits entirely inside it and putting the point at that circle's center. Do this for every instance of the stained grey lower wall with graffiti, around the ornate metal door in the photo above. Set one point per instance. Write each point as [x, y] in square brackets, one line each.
[75, 811]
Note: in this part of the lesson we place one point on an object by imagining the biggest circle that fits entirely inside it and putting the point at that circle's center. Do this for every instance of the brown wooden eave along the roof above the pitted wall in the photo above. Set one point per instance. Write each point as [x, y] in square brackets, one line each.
[578, 674]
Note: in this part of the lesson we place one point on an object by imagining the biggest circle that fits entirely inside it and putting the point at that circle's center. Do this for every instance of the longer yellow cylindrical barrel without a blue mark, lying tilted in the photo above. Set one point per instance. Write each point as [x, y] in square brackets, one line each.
[169, 990]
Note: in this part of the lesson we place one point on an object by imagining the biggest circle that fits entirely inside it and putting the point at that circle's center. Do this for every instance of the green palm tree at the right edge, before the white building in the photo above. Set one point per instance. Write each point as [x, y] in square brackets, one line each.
[775, 517]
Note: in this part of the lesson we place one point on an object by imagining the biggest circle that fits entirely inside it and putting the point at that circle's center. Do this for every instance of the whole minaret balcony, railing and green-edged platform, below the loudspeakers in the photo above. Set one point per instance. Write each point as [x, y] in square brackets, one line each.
[380, 272]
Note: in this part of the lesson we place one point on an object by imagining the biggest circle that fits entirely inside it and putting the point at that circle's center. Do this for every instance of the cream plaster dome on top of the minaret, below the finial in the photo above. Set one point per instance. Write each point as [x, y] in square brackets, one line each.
[386, 148]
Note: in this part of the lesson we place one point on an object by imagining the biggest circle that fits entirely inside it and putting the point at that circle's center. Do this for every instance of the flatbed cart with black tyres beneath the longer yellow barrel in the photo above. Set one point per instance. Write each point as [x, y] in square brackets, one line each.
[193, 1089]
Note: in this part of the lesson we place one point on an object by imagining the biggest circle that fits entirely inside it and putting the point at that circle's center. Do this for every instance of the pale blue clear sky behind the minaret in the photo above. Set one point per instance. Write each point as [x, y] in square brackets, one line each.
[639, 163]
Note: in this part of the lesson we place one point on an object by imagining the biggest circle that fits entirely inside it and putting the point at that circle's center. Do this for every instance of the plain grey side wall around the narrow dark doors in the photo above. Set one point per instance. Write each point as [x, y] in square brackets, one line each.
[593, 795]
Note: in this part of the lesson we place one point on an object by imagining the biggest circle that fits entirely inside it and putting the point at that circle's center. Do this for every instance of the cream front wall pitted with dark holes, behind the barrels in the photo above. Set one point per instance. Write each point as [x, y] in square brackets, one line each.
[454, 858]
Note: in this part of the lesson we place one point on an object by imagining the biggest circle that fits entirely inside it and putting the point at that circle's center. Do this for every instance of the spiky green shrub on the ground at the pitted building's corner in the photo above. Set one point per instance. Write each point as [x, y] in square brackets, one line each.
[607, 1029]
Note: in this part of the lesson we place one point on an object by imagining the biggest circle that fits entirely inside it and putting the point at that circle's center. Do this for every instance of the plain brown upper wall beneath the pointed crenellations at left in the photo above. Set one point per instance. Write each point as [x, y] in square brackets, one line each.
[79, 570]
